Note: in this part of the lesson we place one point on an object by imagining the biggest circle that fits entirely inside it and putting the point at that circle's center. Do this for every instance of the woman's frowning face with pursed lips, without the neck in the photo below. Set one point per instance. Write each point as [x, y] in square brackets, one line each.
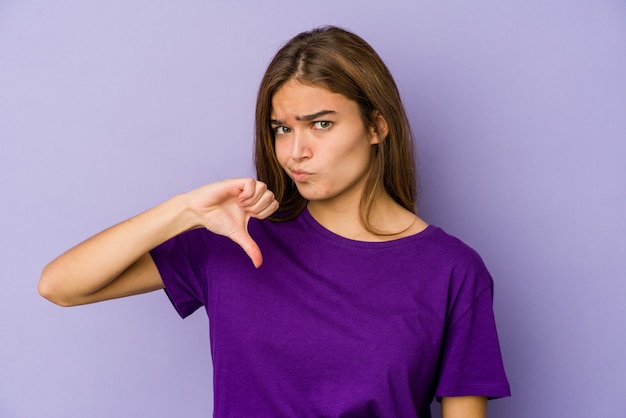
[321, 142]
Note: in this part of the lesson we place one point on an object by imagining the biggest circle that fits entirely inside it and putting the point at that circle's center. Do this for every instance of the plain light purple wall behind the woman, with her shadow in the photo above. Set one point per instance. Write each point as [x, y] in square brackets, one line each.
[107, 108]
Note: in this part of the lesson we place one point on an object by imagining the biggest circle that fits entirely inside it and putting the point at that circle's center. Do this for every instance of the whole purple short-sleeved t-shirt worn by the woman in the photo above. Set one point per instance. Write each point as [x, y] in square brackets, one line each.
[331, 327]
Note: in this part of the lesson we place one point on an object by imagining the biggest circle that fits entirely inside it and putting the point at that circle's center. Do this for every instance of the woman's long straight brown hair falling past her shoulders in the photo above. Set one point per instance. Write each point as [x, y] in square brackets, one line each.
[343, 63]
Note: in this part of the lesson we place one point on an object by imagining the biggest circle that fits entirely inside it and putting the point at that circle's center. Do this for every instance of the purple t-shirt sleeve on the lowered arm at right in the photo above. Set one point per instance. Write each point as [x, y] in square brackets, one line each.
[471, 361]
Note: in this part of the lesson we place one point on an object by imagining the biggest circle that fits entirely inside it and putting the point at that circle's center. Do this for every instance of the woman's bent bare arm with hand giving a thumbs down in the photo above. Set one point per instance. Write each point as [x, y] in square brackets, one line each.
[117, 263]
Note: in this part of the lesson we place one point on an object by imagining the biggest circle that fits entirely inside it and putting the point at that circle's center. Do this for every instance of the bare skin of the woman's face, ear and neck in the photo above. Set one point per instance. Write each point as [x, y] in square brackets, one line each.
[323, 144]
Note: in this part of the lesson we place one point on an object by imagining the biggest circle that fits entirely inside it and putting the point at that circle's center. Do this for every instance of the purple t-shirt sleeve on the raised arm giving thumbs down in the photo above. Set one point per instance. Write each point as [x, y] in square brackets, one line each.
[181, 262]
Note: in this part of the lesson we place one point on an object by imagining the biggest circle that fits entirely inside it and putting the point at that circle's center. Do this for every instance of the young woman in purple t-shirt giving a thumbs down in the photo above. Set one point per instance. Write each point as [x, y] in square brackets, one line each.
[352, 305]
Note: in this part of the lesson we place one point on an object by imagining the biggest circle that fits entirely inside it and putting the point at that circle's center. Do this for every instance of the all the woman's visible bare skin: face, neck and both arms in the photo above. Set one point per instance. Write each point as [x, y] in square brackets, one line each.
[322, 144]
